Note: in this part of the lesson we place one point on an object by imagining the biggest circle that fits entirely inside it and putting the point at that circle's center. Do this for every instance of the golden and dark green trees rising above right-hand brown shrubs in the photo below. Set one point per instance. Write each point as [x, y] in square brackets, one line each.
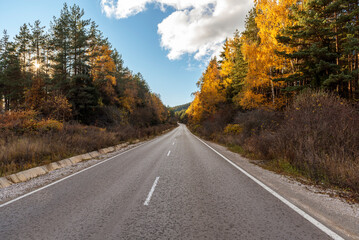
[287, 46]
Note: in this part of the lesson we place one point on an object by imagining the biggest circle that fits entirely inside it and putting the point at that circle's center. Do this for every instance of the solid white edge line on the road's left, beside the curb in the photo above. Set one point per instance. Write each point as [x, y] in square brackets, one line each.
[62, 179]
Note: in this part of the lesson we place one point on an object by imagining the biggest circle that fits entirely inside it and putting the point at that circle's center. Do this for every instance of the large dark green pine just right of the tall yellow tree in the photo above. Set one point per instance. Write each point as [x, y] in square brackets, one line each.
[312, 37]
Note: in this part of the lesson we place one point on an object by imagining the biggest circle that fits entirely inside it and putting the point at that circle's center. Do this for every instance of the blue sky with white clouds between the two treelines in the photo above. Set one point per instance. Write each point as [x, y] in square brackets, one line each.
[168, 41]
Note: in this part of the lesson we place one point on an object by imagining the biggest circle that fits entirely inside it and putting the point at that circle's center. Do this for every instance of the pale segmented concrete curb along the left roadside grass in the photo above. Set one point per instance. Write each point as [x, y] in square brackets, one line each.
[28, 174]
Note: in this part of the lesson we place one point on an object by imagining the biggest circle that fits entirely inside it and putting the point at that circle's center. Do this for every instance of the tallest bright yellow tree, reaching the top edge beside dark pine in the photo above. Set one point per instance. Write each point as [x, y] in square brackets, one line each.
[263, 62]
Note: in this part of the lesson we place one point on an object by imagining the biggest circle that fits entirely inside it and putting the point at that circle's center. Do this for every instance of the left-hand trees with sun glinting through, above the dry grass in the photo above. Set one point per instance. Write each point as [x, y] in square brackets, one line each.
[71, 72]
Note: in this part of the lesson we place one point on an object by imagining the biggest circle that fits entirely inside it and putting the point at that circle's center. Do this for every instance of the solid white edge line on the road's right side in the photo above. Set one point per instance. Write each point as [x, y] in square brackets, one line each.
[315, 222]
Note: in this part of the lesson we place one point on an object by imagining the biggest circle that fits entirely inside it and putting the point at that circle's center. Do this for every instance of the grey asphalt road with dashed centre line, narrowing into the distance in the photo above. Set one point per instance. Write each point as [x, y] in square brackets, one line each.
[173, 187]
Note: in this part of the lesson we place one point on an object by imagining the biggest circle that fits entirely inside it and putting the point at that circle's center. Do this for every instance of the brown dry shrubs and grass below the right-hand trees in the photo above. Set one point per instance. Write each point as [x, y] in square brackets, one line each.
[317, 137]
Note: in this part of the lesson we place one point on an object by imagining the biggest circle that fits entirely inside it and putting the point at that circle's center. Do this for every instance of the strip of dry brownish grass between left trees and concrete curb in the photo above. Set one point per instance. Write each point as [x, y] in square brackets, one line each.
[30, 149]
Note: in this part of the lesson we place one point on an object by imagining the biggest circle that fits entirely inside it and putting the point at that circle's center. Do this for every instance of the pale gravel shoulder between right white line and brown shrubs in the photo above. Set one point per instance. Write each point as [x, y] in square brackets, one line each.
[334, 212]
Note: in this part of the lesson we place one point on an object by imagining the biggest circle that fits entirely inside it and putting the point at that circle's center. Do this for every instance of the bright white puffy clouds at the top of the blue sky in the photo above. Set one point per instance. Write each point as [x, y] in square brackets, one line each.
[196, 27]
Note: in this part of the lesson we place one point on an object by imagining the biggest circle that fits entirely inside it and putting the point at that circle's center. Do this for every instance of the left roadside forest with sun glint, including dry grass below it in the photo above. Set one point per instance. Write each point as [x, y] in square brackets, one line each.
[64, 90]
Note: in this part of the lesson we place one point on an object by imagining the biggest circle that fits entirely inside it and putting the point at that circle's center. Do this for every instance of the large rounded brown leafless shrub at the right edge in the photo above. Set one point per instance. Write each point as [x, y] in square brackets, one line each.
[320, 136]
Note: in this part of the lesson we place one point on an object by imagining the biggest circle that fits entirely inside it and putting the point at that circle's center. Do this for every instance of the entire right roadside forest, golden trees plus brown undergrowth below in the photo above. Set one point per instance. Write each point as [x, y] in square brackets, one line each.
[286, 89]
